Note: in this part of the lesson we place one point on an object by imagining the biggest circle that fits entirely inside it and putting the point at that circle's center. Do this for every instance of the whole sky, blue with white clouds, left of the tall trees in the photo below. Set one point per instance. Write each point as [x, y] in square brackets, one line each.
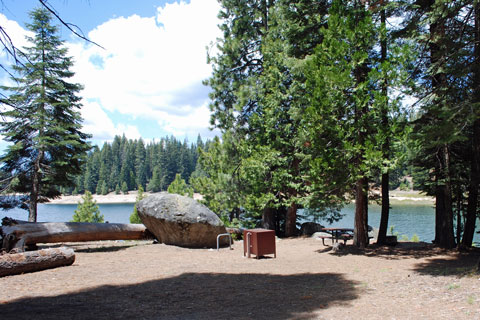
[147, 82]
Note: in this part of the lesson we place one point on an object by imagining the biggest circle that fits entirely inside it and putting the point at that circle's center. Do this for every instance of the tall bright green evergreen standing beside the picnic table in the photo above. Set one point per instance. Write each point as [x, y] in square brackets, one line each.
[347, 108]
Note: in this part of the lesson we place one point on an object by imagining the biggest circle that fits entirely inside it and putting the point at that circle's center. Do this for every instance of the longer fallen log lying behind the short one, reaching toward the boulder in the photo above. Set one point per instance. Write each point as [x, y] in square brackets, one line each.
[20, 235]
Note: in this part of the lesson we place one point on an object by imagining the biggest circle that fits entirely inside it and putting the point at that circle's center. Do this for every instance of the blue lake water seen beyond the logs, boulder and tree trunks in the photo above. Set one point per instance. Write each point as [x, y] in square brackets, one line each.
[407, 219]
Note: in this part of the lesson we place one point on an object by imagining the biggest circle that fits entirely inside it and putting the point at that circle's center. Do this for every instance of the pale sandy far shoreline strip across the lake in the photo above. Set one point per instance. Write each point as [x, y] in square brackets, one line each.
[112, 198]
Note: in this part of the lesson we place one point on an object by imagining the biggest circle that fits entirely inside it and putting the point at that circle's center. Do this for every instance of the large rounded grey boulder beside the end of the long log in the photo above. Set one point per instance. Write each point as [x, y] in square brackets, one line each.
[181, 221]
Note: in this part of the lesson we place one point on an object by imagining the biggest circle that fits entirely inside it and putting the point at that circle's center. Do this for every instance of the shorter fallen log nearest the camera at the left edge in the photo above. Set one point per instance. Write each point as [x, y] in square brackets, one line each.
[30, 261]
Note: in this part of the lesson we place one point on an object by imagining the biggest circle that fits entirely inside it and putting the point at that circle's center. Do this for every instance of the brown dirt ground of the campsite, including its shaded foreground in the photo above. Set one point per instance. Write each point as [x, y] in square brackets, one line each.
[141, 280]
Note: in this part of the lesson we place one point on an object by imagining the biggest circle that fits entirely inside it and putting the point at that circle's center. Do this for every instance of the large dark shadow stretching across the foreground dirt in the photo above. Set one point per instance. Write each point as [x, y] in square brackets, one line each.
[196, 296]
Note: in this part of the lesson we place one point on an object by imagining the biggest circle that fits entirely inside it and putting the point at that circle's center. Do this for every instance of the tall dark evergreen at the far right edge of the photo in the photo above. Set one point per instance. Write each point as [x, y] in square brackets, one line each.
[448, 111]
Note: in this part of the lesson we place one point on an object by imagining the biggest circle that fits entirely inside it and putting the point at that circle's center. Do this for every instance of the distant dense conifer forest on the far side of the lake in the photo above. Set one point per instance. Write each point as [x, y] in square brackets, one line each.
[125, 164]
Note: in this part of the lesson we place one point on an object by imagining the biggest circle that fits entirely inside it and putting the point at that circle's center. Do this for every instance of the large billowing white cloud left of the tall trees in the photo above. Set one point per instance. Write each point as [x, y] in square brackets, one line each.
[151, 68]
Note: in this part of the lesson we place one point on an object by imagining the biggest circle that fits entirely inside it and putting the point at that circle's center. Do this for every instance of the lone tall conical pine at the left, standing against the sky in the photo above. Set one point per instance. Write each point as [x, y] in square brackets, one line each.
[42, 121]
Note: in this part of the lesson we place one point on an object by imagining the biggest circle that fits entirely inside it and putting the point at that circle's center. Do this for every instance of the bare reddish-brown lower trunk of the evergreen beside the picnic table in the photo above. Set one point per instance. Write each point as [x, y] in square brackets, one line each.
[360, 238]
